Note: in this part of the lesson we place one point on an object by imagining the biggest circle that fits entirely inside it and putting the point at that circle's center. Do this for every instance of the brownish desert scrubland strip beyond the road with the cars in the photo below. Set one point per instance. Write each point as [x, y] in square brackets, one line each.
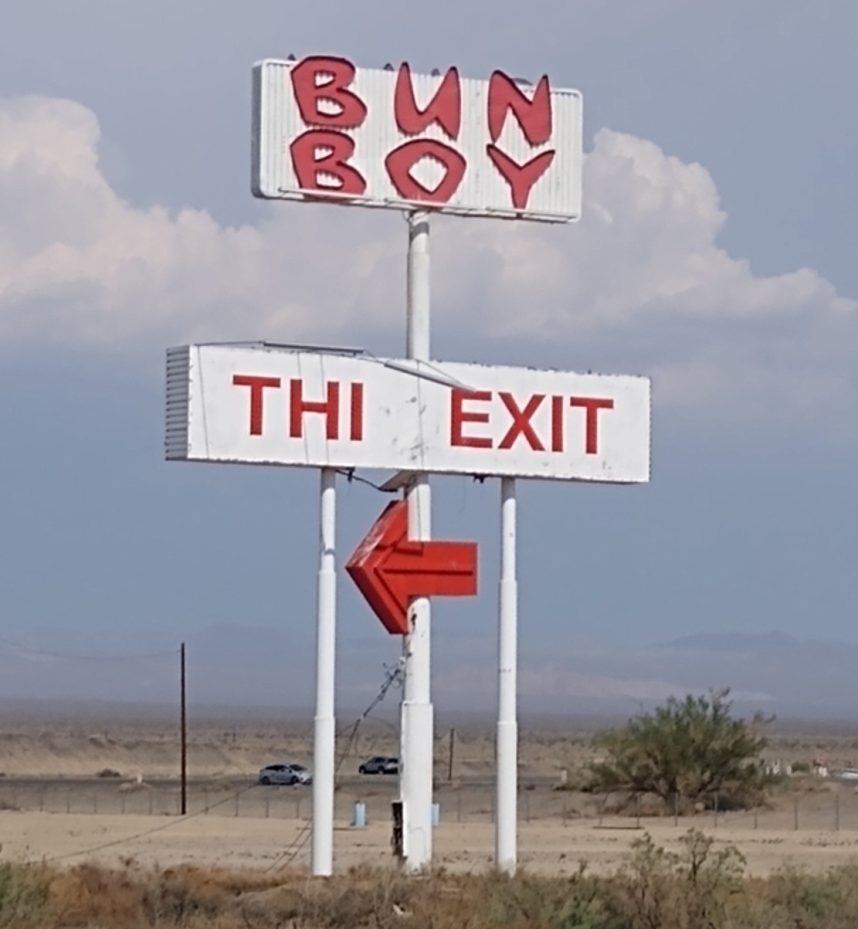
[39, 748]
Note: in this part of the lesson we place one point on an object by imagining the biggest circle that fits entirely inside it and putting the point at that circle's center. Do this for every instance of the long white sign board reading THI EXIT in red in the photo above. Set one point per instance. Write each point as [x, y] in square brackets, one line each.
[267, 405]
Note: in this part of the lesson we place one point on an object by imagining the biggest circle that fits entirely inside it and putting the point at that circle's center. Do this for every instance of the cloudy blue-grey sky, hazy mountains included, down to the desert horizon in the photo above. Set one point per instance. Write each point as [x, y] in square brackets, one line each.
[716, 255]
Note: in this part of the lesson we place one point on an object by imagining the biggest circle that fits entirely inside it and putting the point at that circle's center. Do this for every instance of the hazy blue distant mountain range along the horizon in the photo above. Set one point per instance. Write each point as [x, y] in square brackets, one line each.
[232, 667]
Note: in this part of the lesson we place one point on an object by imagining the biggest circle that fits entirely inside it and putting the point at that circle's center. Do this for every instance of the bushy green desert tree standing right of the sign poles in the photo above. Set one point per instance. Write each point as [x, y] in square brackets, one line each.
[688, 750]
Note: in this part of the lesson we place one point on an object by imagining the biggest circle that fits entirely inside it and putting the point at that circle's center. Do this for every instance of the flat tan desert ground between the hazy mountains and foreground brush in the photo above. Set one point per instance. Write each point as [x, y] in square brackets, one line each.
[108, 791]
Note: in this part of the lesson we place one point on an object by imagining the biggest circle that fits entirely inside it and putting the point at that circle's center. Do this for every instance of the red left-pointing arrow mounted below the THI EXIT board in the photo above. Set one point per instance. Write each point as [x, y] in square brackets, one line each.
[389, 569]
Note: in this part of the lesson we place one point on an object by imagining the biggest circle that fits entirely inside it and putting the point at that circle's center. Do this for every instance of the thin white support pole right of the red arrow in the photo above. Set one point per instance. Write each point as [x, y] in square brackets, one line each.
[506, 819]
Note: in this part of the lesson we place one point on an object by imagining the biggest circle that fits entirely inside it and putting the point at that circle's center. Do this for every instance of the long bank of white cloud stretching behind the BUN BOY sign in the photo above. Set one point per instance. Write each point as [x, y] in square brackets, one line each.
[81, 264]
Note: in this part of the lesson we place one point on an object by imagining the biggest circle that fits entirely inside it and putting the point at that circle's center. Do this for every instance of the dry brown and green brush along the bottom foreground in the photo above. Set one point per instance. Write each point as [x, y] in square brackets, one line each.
[700, 887]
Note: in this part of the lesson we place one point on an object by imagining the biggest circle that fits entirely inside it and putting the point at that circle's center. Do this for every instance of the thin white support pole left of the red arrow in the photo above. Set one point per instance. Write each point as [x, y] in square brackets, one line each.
[324, 746]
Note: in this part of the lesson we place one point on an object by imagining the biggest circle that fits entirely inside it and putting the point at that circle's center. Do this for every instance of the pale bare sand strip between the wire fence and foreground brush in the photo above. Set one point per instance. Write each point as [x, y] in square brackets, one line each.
[263, 844]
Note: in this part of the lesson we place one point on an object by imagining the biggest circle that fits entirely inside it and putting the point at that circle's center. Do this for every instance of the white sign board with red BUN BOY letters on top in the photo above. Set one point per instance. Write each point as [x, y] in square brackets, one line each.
[325, 129]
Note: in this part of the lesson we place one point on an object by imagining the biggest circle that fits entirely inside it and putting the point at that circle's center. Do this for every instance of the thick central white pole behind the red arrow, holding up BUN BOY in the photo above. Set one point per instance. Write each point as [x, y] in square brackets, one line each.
[417, 726]
